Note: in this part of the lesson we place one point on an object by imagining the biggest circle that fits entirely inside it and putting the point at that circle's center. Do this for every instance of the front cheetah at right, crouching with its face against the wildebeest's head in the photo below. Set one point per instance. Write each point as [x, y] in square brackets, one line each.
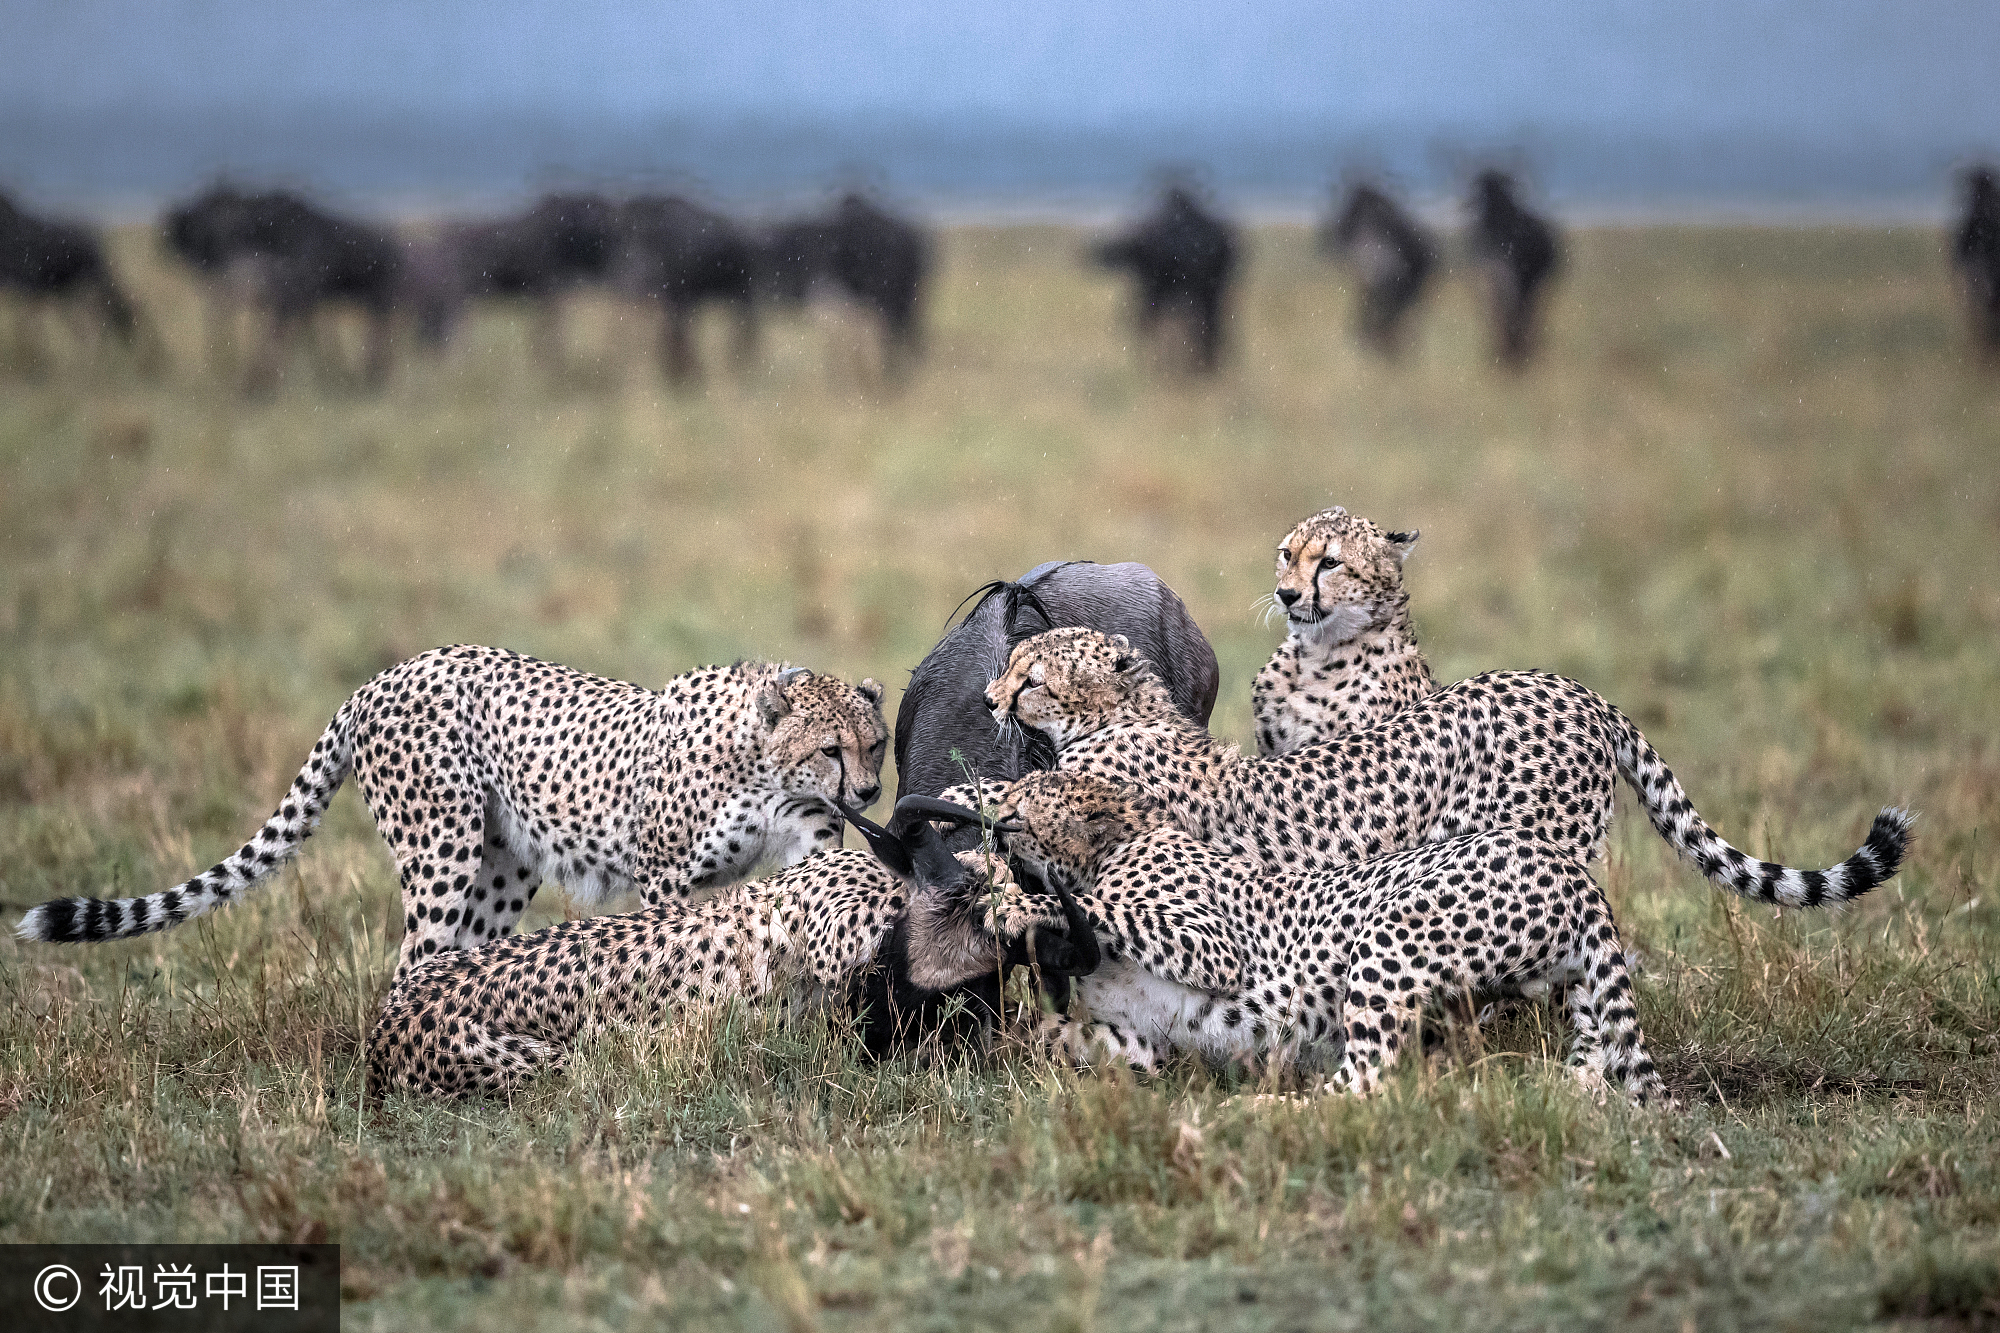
[1213, 956]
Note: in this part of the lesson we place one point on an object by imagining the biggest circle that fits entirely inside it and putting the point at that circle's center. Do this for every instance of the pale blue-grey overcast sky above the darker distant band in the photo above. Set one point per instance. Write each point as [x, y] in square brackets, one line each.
[1893, 79]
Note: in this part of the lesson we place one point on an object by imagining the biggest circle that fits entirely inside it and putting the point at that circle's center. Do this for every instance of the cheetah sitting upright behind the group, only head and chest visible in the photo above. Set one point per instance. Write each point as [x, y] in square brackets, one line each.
[1349, 655]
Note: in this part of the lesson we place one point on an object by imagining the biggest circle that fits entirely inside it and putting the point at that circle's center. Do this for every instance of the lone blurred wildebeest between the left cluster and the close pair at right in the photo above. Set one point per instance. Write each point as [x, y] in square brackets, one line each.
[1183, 259]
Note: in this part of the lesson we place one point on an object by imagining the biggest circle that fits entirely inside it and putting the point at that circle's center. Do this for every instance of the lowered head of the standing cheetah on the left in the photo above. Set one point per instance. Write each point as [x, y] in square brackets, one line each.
[827, 738]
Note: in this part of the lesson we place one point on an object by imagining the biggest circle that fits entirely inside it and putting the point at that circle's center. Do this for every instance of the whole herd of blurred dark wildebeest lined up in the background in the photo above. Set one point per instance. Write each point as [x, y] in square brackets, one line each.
[279, 259]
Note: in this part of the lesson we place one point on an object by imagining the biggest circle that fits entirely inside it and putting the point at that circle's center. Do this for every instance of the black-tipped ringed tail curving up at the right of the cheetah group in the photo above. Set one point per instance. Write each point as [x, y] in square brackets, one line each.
[1677, 822]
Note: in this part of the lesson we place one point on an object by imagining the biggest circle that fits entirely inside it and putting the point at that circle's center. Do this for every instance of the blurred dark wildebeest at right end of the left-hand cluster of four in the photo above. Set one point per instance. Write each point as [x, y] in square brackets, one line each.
[869, 255]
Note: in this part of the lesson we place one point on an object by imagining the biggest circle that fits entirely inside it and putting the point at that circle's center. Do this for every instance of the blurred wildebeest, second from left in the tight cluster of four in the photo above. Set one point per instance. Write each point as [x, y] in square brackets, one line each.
[561, 243]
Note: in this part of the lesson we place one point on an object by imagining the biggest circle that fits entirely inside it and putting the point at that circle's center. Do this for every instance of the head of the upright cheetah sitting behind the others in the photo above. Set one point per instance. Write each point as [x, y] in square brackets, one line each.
[1339, 575]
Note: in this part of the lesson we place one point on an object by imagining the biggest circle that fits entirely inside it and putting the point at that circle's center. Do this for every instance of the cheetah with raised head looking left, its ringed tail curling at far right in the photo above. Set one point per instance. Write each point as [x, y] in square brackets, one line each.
[1505, 750]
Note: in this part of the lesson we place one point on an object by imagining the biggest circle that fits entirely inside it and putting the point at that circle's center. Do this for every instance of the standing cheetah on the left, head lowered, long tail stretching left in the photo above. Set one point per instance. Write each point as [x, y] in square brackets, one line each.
[489, 774]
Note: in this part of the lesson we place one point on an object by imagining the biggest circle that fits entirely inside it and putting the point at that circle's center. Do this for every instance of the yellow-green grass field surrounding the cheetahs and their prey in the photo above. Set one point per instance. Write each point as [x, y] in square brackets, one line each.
[1751, 495]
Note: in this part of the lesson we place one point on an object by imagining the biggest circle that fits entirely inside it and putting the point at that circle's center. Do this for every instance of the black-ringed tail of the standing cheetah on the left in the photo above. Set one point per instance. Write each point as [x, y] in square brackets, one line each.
[75, 922]
